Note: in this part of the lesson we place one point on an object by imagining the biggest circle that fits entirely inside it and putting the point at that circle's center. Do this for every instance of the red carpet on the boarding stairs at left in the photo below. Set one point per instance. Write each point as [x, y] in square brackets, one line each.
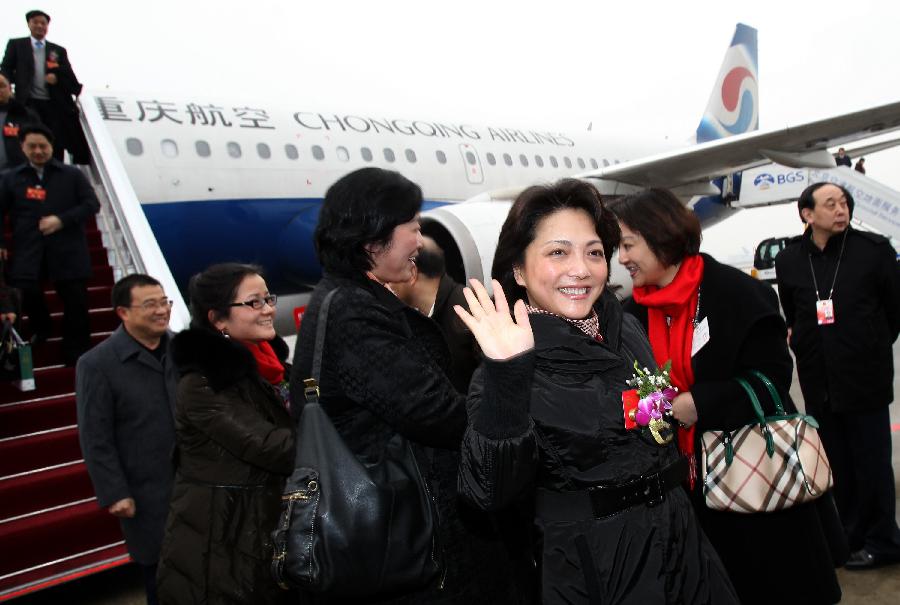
[51, 528]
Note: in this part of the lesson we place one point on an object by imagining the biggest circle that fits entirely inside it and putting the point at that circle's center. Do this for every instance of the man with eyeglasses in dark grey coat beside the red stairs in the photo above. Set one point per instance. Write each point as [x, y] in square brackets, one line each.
[125, 394]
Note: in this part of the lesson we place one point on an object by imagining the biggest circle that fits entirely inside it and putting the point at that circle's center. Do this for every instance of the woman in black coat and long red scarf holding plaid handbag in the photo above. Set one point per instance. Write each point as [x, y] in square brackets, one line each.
[716, 323]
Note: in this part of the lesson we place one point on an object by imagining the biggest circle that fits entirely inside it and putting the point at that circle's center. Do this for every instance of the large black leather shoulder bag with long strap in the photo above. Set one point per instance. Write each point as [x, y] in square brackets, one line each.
[351, 527]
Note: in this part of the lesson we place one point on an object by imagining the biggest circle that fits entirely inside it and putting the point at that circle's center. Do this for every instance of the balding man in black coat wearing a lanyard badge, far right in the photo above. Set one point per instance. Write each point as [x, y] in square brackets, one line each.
[840, 290]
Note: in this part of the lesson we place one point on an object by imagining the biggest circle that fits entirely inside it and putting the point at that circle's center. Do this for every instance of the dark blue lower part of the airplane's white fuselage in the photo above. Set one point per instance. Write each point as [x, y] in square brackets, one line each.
[274, 233]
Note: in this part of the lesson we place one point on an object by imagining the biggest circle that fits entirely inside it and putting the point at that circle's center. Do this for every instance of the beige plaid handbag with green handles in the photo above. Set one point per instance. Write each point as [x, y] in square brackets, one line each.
[771, 464]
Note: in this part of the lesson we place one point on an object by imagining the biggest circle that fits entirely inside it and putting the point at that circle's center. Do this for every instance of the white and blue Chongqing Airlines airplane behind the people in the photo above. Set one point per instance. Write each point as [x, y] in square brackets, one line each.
[223, 180]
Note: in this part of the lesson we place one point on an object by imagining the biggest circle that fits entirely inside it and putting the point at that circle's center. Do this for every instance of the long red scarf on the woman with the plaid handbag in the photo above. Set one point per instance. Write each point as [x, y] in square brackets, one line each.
[677, 301]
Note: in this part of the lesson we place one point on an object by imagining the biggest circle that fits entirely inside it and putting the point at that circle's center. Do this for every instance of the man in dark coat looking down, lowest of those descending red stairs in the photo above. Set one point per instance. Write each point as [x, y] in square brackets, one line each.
[49, 203]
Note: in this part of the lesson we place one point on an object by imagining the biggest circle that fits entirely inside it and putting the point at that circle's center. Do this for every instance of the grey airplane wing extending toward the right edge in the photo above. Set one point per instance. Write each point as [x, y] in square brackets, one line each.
[689, 170]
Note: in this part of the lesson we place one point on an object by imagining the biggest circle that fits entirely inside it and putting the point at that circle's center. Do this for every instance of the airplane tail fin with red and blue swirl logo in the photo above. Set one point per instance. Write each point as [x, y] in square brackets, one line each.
[733, 106]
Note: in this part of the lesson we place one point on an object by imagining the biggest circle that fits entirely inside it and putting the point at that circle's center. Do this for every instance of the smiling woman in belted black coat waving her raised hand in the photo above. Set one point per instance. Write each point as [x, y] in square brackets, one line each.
[613, 524]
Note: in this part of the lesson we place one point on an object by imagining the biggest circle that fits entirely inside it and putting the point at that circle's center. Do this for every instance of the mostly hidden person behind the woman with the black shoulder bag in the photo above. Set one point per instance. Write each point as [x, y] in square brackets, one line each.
[434, 293]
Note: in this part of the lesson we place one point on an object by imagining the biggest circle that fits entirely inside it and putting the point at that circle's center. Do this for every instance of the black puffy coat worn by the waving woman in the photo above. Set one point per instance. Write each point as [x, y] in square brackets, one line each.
[559, 425]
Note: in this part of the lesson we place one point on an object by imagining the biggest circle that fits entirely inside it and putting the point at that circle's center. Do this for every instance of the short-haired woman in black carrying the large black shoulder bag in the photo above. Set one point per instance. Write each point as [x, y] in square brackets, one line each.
[385, 373]
